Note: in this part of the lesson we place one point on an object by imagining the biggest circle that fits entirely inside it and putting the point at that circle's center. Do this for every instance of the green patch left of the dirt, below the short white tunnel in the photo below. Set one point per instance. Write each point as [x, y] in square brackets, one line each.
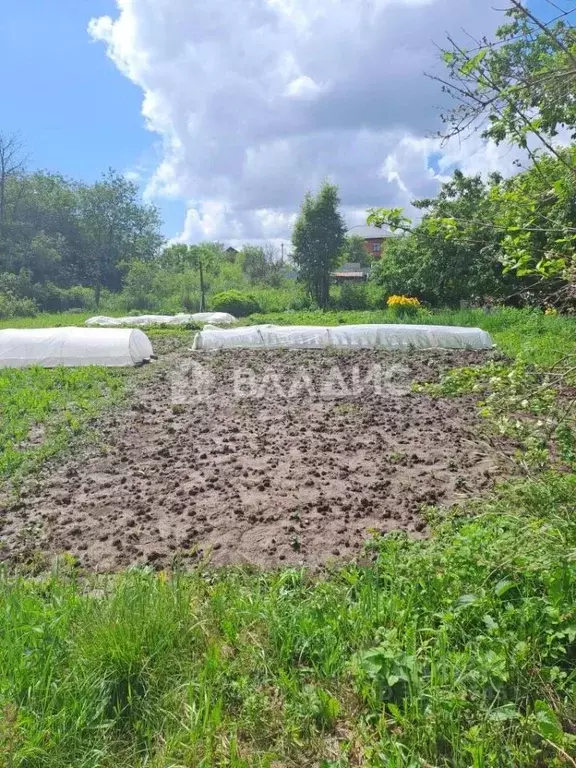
[42, 410]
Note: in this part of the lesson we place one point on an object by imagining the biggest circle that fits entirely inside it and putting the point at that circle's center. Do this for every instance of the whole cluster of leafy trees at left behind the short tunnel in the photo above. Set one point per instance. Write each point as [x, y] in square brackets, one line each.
[58, 235]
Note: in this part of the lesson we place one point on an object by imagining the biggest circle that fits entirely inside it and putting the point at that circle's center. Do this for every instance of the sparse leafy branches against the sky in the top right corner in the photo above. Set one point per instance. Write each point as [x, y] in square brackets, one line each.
[517, 87]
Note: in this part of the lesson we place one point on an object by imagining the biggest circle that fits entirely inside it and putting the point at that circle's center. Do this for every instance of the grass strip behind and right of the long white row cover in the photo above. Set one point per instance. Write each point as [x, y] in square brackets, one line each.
[538, 338]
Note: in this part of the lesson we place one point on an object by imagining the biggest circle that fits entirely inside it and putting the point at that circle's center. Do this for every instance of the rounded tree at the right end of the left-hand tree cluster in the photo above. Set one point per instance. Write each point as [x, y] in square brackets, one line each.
[115, 227]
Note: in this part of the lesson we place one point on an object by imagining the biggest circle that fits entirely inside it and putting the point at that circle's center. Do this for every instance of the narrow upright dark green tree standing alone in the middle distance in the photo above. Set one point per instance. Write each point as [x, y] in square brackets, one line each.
[318, 239]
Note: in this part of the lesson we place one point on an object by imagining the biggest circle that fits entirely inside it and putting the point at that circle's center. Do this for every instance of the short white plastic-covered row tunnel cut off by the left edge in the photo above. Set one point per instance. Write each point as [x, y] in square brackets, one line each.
[70, 347]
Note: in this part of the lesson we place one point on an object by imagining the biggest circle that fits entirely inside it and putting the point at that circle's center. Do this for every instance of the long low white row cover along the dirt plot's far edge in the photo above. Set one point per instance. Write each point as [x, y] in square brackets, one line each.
[344, 336]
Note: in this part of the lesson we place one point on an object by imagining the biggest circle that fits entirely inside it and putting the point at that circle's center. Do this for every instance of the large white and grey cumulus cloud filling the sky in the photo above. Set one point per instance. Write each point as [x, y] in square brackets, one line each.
[257, 101]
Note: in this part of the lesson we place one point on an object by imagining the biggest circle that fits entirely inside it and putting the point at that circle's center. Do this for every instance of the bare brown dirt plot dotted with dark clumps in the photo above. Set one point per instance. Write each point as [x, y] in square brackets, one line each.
[266, 479]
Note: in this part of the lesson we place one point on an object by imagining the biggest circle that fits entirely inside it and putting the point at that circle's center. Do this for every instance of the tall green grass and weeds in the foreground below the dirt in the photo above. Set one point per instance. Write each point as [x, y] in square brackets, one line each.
[458, 651]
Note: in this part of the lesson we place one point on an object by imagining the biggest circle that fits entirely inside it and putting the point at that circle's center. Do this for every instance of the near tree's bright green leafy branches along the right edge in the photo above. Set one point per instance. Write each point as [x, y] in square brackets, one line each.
[520, 88]
